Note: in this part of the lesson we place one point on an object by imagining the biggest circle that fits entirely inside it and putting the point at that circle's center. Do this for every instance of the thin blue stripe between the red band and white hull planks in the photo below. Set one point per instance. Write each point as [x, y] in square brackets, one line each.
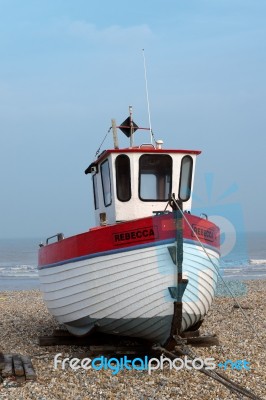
[116, 251]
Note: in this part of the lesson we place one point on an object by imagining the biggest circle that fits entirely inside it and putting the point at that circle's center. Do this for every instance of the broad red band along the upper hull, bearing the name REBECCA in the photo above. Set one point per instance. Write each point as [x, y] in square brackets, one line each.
[126, 236]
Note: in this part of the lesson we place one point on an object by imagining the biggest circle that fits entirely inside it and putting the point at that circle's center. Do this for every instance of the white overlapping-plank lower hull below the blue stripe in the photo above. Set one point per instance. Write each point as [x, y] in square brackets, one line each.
[126, 293]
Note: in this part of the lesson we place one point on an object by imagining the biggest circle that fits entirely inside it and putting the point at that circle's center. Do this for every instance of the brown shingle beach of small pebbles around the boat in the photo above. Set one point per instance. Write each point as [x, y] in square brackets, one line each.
[24, 317]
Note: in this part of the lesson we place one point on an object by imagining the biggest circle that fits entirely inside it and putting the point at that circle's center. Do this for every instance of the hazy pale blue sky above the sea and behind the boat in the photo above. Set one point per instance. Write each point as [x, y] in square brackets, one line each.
[68, 67]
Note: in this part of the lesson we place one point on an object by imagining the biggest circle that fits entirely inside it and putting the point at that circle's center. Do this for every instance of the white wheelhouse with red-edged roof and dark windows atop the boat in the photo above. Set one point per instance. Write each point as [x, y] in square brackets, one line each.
[136, 182]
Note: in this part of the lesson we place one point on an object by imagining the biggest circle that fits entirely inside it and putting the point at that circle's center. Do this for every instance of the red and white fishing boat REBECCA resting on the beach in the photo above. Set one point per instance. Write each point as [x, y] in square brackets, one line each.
[148, 268]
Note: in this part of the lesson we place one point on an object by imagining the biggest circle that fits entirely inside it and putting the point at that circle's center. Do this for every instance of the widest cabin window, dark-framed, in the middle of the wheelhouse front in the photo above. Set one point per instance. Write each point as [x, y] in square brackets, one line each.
[155, 177]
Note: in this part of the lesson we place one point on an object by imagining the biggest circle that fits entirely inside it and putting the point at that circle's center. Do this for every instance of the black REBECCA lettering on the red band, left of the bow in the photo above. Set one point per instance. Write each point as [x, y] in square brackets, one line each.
[136, 235]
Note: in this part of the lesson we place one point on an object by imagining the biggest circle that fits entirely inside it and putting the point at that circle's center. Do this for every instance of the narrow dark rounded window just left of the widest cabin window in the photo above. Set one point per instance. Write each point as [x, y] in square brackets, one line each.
[123, 181]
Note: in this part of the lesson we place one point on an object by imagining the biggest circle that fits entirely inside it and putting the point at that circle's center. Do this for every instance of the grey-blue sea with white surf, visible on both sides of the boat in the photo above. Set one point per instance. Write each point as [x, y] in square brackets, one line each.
[19, 258]
